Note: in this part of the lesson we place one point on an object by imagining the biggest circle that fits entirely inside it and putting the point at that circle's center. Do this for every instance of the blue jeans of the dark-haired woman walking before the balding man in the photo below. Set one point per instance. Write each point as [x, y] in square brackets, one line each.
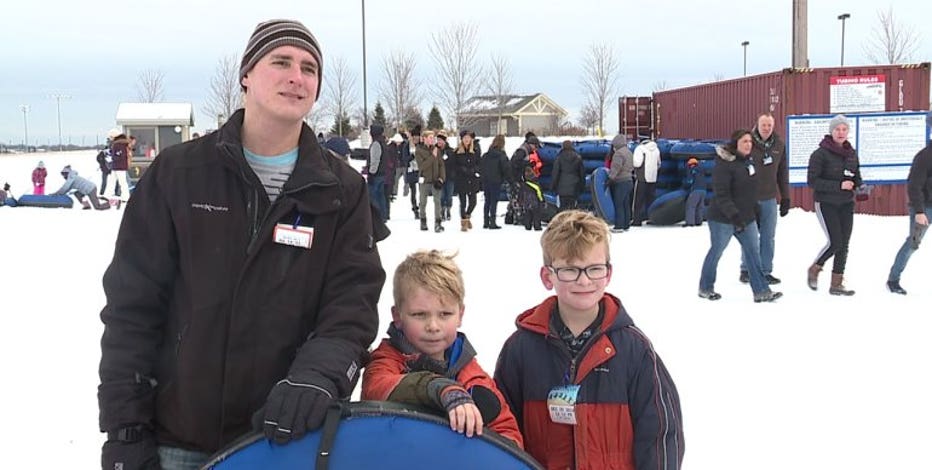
[721, 234]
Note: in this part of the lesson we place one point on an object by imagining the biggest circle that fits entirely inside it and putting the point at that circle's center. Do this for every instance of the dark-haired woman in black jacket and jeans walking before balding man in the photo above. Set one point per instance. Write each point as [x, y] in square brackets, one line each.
[732, 214]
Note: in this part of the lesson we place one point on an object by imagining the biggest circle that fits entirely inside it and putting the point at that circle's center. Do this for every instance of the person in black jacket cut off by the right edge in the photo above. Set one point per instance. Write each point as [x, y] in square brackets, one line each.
[919, 187]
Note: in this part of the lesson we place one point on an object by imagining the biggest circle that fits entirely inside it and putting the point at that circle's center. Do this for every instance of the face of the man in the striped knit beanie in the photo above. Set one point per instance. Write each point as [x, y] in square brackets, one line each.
[283, 84]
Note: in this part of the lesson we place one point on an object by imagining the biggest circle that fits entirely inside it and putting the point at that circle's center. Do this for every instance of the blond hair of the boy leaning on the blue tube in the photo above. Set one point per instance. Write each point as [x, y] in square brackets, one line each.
[433, 271]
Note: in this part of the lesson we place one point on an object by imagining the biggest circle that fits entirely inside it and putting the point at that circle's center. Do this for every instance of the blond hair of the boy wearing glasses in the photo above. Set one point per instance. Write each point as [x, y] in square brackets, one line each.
[571, 234]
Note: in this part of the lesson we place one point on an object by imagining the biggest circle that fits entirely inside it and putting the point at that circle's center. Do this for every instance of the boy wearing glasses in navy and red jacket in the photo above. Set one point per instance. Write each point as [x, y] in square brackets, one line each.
[584, 383]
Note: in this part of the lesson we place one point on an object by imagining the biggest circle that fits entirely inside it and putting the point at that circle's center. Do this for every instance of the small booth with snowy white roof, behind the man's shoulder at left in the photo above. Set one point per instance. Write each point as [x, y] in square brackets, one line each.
[155, 125]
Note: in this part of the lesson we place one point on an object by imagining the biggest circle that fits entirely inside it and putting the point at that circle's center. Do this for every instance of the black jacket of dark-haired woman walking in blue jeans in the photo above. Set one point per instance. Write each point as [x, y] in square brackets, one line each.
[734, 182]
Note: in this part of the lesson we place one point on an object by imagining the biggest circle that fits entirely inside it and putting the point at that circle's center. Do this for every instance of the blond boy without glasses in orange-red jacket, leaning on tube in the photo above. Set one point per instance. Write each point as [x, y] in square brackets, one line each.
[426, 362]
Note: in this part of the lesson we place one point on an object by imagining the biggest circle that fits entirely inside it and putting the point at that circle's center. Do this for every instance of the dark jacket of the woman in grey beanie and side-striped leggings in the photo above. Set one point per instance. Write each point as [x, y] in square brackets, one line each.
[829, 165]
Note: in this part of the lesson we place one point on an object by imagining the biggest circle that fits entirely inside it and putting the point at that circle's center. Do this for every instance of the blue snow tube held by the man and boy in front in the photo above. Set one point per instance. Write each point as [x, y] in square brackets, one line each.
[377, 435]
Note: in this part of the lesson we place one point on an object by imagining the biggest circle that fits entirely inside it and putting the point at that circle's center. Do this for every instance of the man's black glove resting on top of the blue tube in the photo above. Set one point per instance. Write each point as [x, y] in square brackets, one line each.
[294, 407]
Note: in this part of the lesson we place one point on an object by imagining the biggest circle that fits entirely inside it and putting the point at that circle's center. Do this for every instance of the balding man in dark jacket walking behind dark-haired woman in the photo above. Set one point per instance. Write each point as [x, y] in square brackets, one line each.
[773, 184]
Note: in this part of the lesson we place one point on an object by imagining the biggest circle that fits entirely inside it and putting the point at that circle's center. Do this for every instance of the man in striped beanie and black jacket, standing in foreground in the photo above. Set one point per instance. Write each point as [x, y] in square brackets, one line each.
[244, 283]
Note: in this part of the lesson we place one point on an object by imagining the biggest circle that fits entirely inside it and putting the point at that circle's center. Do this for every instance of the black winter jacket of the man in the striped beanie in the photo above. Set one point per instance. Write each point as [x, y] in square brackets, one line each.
[206, 312]
